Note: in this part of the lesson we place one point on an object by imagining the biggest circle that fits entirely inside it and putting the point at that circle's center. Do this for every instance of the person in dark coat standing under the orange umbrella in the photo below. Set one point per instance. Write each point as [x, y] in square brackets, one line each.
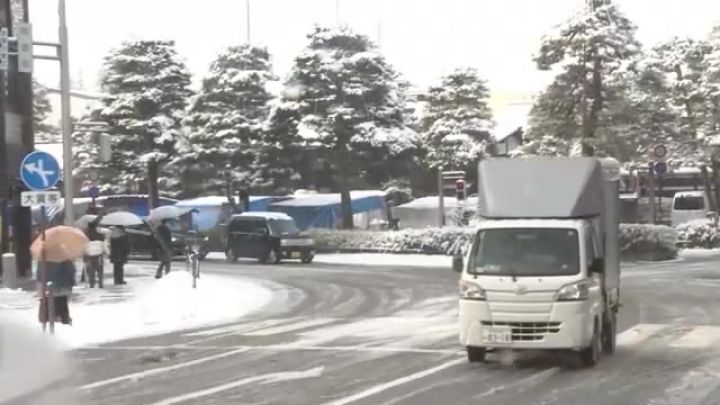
[61, 278]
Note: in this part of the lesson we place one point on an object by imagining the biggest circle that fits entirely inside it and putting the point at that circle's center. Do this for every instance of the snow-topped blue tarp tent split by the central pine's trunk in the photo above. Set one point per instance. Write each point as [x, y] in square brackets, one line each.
[323, 210]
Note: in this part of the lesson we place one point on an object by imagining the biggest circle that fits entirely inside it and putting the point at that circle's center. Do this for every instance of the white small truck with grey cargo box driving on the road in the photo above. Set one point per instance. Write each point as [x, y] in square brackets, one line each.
[543, 272]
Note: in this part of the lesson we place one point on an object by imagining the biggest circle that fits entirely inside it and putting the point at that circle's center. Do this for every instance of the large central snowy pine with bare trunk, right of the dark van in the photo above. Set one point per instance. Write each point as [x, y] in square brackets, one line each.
[350, 103]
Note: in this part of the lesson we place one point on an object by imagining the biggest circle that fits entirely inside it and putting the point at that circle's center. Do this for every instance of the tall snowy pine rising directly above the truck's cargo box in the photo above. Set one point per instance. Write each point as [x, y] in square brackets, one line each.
[588, 49]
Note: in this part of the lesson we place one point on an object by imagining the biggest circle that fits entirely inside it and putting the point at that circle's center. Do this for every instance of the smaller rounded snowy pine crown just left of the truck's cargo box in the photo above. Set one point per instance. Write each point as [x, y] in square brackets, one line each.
[457, 121]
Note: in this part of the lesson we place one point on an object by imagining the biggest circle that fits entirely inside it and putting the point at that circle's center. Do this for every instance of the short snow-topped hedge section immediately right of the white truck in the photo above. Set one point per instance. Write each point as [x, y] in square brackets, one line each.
[647, 242]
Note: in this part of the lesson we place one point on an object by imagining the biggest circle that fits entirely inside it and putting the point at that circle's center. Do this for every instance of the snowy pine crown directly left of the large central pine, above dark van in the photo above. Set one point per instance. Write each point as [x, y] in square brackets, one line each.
[226, 121]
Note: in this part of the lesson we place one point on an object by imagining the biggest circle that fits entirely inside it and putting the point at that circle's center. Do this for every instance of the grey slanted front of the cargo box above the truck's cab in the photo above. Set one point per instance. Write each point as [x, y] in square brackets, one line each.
[540, 188]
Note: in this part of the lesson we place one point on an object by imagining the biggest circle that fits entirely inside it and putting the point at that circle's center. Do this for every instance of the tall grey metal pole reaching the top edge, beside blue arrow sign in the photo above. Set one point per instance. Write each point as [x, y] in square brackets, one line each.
[68, 186]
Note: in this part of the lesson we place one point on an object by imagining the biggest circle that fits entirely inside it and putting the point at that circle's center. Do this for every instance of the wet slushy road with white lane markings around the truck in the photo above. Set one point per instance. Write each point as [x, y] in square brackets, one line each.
[386, 333]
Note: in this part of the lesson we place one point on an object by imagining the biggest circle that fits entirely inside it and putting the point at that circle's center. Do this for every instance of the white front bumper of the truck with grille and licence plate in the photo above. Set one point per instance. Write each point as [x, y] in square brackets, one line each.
[569, 325]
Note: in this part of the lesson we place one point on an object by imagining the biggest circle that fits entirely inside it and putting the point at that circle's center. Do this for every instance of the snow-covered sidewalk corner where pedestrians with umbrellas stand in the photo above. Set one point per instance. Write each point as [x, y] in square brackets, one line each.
[143, 307]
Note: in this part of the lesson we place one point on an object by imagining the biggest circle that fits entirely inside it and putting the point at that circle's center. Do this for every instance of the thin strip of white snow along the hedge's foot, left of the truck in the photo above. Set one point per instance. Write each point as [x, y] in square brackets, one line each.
[386, 259]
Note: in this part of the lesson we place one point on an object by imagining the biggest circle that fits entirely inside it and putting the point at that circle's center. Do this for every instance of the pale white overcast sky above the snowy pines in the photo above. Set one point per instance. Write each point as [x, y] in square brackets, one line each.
[423, 39]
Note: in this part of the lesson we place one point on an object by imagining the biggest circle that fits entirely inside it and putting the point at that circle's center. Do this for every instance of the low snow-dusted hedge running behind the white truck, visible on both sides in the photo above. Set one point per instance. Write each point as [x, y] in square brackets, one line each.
[637, 242]
